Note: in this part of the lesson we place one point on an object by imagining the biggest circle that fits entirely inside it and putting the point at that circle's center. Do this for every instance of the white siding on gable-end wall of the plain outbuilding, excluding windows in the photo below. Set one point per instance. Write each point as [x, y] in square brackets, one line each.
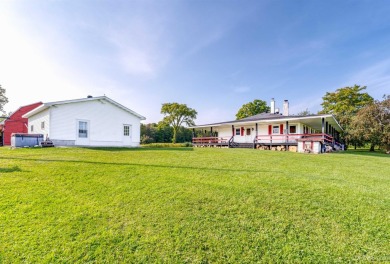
[105, 123]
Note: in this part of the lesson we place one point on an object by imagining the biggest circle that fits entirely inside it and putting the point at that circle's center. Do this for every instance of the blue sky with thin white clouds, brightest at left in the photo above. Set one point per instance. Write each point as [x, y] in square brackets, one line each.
[213, 56]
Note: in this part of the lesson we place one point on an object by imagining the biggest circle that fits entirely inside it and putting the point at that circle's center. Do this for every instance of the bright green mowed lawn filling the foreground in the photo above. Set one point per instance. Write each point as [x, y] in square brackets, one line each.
[192, 206]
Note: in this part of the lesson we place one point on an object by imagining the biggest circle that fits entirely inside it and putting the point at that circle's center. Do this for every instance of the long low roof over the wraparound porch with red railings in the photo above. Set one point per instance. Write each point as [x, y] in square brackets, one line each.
[313, 121]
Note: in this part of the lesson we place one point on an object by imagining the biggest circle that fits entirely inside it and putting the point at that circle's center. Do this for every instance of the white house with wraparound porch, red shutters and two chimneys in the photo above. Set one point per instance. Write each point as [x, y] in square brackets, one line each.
[313, 133]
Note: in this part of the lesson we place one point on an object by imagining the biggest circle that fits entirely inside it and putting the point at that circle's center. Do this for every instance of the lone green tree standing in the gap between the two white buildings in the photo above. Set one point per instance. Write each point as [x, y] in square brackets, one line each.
[176, 114]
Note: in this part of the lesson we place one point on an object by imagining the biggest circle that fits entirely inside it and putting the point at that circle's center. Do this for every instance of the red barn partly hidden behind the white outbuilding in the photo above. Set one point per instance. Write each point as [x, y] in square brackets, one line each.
[16, 123]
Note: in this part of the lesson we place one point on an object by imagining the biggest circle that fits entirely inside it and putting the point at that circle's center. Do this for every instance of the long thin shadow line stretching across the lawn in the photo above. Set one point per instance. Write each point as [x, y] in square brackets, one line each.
[149, 165]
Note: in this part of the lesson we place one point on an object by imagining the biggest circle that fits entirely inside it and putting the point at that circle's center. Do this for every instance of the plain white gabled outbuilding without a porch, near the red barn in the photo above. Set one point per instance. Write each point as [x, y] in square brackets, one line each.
[91, 121]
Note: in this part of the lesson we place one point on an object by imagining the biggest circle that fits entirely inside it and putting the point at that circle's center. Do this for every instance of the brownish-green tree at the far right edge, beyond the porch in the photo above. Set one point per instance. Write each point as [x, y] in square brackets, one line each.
[372, 124]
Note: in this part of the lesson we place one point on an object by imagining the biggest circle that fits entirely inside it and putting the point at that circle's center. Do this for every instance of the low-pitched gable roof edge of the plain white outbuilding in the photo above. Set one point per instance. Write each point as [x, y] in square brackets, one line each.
[98, 98]
